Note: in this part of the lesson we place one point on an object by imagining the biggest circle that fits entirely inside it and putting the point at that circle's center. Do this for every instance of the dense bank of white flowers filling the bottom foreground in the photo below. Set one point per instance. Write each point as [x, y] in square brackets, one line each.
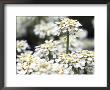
[75, 63]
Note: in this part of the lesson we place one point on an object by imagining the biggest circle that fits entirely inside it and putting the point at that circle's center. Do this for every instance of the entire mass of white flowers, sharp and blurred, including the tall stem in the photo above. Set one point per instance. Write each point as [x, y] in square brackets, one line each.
[62, 56]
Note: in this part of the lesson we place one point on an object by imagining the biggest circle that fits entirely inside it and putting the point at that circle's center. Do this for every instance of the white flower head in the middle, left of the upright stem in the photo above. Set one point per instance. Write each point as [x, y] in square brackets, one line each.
[46, 49]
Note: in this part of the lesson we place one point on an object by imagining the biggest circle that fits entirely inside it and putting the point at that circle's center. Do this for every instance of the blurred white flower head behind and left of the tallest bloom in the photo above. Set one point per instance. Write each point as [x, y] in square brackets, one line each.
[46, 29]
